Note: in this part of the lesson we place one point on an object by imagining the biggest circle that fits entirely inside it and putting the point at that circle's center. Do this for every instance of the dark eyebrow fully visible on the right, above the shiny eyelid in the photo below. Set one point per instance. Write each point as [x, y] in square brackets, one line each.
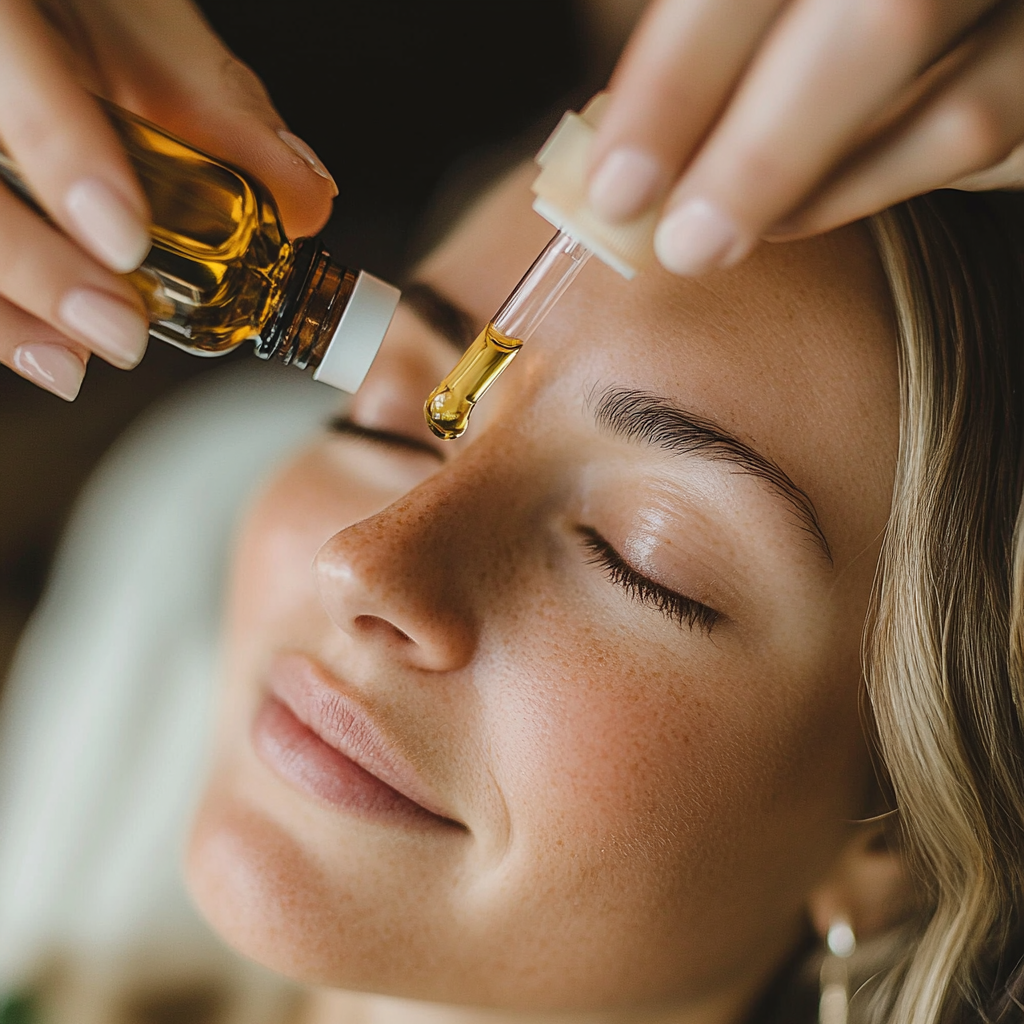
[650, 419]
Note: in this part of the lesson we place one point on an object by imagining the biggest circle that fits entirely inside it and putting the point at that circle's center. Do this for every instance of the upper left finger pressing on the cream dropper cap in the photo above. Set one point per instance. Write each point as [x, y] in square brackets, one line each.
[678, 71]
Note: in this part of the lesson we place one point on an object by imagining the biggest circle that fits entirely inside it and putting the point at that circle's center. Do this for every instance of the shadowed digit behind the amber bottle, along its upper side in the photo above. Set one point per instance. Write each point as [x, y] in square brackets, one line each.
[215, 102]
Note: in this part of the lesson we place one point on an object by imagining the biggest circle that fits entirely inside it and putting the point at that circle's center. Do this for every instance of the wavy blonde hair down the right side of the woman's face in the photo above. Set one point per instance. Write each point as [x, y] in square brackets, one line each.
[945, 647]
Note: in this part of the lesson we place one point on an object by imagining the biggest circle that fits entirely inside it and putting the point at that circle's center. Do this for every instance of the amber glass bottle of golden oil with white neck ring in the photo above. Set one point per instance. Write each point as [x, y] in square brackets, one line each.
[222, 271]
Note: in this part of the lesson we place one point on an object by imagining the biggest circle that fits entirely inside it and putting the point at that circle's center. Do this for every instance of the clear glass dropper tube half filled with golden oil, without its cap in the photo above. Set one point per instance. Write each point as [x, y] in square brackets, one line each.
[542, 286]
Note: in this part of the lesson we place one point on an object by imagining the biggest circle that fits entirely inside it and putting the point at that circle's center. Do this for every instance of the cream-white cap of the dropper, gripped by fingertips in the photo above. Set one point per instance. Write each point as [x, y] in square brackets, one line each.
[562, 196]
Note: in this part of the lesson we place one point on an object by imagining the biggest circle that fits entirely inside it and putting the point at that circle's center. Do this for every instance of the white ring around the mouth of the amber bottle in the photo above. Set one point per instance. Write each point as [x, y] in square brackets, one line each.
[360, 333]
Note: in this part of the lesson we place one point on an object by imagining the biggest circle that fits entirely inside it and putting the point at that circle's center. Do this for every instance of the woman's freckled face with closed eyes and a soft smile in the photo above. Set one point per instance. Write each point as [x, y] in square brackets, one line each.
[565, 714]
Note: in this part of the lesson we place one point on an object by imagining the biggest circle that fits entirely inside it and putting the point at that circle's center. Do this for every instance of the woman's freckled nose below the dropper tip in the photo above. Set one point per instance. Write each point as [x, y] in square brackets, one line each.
[396, 582]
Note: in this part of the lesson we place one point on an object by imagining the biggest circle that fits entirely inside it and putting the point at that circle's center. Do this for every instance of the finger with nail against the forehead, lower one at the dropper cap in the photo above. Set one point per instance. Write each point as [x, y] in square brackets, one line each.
[823, 76]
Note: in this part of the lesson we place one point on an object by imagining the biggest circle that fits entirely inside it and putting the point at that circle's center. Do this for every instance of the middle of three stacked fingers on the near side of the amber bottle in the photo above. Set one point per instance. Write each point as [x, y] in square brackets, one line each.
[49, 277]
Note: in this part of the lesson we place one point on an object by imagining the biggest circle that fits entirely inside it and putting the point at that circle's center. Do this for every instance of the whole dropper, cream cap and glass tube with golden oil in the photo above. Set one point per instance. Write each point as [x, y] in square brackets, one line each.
[561, 199]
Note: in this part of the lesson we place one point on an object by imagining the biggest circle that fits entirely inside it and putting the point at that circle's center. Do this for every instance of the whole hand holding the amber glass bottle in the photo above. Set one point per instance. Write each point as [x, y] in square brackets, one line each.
[62, 294]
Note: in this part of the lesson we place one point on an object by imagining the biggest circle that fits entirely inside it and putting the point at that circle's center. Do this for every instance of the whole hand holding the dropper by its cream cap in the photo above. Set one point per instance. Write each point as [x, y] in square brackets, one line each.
[746, 119]
